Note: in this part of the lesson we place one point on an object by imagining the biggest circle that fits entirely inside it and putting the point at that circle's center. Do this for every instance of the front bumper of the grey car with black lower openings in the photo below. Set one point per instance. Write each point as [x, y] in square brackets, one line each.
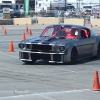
[56, 57]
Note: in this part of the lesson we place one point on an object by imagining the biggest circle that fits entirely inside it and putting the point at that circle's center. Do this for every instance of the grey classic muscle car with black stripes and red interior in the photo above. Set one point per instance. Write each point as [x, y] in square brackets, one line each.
[61, 43]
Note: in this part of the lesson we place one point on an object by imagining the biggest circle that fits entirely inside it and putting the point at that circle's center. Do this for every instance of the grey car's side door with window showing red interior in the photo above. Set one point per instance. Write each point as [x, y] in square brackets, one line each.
[85, 45]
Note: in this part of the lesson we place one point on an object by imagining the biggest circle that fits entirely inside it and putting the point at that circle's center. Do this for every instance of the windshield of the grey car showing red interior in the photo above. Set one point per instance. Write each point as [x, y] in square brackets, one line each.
[66, 32]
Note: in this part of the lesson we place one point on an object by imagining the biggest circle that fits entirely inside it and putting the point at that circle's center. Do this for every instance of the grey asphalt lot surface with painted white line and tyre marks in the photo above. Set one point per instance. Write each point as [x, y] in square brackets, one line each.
[43, 80]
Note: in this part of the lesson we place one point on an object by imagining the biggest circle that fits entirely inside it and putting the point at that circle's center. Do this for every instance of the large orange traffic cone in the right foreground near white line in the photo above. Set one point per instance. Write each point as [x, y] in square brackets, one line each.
[96, 85]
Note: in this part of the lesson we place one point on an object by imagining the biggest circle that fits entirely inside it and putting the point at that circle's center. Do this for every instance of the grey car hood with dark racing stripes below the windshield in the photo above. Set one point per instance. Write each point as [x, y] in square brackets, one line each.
[48, 40]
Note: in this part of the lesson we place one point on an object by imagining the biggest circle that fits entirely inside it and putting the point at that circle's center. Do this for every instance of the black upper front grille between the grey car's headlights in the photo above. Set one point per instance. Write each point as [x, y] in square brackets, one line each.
[38, 47]
